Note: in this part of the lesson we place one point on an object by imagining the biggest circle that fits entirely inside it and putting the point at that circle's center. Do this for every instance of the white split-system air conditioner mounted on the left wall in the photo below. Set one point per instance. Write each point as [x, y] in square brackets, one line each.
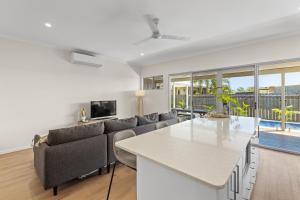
[83, 58]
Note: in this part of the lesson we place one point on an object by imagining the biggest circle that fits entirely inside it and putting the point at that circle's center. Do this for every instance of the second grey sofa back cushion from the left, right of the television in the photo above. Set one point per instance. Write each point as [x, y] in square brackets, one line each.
[120, 124]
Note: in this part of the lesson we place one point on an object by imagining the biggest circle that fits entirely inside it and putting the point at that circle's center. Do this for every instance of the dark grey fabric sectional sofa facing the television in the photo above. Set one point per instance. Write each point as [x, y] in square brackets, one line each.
[72, 152]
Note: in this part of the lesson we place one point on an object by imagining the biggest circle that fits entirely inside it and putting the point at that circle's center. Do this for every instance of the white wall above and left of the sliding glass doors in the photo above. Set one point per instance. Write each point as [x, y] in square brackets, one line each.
[264, 51]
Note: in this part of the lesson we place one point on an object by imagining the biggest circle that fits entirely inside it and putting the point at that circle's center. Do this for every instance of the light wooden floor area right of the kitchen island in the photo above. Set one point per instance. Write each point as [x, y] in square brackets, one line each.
[278, 176]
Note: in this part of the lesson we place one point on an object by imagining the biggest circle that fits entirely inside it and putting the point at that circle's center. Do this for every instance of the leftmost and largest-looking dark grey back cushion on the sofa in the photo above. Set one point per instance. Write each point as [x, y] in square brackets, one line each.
[64, 135]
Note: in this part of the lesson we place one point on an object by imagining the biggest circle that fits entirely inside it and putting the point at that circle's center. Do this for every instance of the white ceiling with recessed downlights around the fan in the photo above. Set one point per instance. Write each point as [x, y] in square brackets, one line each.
[111, 27]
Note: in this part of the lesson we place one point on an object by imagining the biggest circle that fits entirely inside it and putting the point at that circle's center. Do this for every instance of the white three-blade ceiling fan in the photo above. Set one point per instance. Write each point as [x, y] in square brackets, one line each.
[153, 24]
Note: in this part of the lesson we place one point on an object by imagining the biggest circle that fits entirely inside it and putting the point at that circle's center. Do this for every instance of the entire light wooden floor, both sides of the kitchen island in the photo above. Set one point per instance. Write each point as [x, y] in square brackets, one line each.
[278, 179]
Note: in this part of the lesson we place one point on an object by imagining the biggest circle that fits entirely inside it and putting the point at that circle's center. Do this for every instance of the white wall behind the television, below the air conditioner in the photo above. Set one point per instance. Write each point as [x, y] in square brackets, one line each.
[41, 90]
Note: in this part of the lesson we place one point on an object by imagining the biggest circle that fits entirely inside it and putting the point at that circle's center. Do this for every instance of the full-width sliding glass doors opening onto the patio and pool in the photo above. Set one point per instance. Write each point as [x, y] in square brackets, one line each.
[268, 91]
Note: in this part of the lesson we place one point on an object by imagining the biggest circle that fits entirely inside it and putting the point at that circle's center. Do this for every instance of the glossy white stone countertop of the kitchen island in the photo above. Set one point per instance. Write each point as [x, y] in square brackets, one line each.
[204, 149]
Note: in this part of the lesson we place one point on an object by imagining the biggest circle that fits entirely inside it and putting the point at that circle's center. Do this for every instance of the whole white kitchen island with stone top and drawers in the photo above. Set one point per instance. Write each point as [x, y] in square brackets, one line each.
[203, 159]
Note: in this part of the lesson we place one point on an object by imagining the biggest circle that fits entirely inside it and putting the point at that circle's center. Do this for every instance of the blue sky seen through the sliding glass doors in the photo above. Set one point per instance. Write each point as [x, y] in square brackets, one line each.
[265, 80]
